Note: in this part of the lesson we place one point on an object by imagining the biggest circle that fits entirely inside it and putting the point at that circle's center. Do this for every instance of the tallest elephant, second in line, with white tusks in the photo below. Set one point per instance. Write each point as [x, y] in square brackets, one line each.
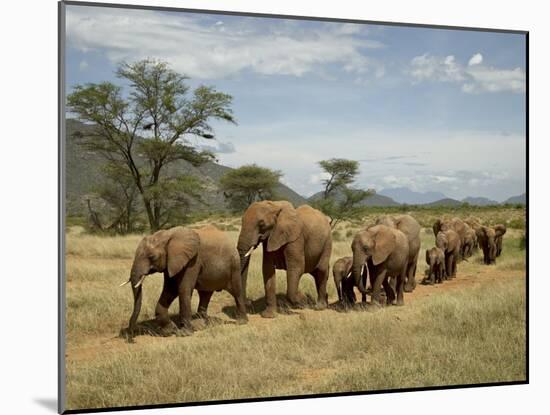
[296, 240]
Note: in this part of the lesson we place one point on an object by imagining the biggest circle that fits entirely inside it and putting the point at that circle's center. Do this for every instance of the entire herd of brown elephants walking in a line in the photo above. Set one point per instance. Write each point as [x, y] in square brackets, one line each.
[298, 240]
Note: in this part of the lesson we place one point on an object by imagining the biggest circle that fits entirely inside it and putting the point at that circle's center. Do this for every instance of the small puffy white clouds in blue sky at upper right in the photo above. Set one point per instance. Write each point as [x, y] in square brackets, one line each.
[474, 77]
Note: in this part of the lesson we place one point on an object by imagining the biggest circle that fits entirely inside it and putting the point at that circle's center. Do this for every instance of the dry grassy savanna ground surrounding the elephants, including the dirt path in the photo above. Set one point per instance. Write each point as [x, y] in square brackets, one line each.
[468, 330]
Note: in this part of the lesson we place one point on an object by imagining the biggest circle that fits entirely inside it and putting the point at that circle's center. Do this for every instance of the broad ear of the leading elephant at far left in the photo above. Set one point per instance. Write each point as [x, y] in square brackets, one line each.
[182, 246]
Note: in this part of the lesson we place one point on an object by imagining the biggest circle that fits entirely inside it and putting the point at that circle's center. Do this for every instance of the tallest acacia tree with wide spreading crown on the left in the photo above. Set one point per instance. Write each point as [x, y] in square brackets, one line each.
[149, 127]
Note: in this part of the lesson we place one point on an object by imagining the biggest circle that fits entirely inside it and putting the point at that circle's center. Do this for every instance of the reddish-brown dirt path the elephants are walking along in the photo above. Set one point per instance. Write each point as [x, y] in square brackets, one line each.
[91, 347]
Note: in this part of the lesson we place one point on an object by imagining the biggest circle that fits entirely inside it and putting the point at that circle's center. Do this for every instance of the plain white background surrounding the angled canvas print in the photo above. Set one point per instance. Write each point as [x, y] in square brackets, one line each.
[29, 202]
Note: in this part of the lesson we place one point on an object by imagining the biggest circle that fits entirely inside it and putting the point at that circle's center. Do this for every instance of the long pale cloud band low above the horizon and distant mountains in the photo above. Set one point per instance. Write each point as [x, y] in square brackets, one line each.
[467, 171]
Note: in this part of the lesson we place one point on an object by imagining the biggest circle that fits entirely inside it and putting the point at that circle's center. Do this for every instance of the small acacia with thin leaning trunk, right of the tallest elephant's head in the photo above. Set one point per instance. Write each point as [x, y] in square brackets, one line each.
[339, 200]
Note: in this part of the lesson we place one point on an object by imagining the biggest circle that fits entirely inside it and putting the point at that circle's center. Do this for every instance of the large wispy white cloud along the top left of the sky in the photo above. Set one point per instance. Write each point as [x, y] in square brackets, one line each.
[197, 48]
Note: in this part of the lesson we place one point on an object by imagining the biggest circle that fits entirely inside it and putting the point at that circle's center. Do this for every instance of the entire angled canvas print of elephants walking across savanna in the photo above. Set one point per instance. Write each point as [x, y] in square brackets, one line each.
[258, 207]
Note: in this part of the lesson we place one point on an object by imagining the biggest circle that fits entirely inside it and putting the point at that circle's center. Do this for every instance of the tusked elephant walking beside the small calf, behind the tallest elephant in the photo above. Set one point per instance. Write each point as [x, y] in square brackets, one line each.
[385, 250]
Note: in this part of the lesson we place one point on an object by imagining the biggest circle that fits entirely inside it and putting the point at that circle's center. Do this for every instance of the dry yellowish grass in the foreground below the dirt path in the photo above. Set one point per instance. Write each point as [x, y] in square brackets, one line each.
[475, 336]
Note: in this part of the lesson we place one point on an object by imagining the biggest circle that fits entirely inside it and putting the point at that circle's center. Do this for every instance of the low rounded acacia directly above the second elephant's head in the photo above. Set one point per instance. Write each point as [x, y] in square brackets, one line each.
[248, 184]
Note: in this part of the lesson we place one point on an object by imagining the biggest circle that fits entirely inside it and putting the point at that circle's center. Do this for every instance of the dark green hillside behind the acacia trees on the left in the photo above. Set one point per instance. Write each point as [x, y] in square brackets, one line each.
[83, 173]
